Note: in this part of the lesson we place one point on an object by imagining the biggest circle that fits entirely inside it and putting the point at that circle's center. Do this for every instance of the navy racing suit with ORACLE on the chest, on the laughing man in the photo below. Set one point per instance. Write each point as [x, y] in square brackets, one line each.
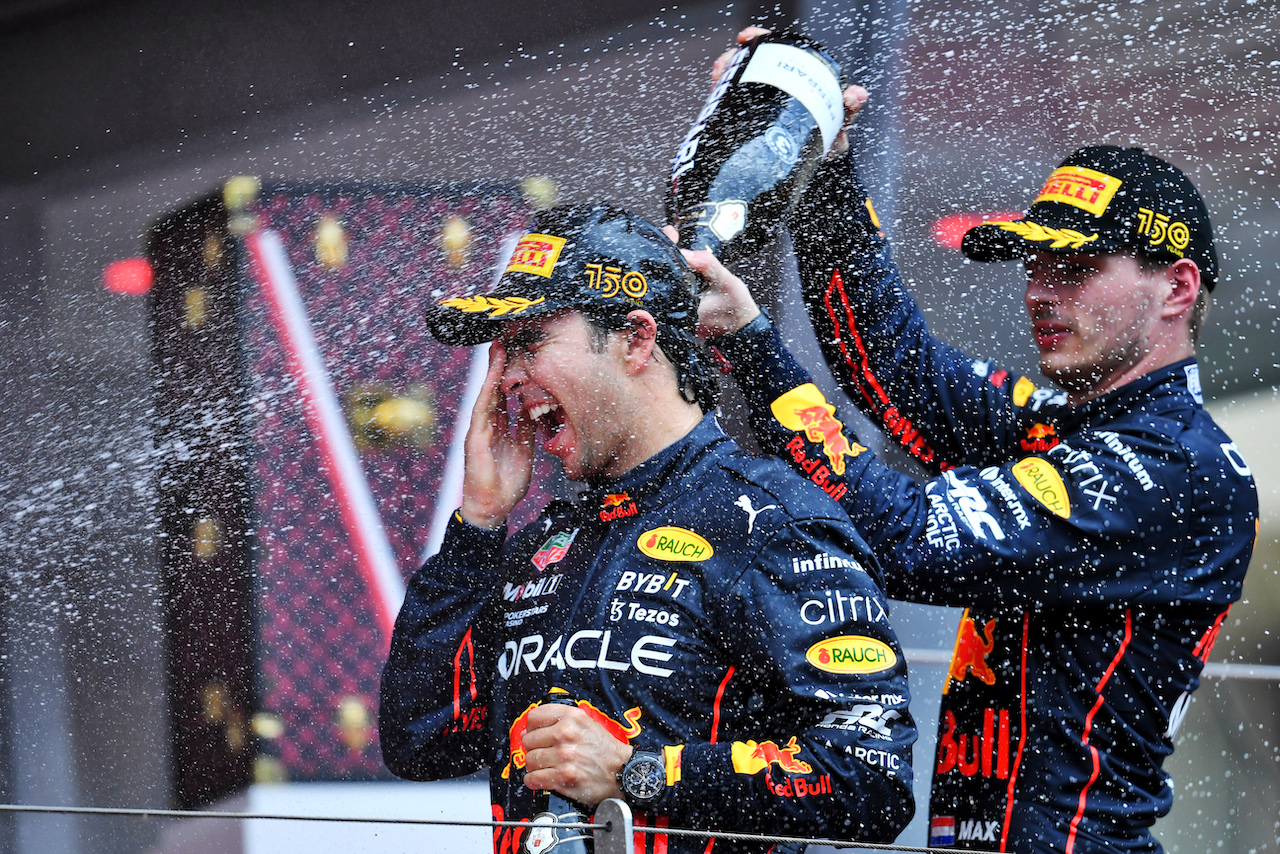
[708, 606]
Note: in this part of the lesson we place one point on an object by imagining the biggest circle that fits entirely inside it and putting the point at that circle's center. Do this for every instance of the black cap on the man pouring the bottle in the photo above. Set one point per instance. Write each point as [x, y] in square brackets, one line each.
[1105, 199]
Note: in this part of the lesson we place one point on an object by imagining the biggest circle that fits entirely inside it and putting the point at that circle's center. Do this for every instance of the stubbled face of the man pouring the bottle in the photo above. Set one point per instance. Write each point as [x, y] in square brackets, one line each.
[1094, 318]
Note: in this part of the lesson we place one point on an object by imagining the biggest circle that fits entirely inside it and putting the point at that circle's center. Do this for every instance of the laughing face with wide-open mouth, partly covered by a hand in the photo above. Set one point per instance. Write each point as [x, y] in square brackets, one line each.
[570, 387]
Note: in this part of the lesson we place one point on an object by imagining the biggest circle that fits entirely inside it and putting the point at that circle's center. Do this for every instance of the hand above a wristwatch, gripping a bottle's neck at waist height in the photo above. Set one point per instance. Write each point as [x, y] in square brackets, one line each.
[568, 751]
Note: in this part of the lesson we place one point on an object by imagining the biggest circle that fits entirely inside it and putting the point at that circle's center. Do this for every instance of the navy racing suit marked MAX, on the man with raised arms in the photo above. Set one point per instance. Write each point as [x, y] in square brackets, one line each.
[1096, 550]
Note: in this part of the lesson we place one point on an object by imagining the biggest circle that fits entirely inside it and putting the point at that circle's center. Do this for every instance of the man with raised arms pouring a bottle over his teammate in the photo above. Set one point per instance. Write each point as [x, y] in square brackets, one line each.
[1096, 535]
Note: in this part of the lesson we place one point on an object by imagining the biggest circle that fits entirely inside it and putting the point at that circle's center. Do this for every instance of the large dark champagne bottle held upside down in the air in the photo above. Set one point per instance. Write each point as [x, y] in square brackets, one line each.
[767, 124]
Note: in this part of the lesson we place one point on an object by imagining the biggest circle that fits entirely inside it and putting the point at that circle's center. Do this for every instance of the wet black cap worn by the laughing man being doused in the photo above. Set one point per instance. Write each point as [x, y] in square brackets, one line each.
[596, 259]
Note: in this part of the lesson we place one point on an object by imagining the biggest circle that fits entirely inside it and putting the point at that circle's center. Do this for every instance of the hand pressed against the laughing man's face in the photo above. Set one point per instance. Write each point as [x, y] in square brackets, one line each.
[499, 464]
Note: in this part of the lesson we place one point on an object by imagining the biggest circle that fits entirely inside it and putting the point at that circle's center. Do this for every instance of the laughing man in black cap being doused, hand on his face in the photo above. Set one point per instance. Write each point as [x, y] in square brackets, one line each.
[716, 622]
